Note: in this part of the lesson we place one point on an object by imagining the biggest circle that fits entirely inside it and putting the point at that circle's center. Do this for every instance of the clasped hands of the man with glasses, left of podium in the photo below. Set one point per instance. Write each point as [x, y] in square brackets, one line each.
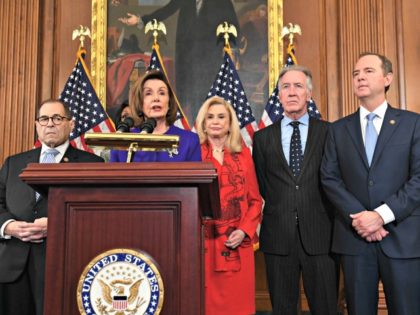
[34, 232]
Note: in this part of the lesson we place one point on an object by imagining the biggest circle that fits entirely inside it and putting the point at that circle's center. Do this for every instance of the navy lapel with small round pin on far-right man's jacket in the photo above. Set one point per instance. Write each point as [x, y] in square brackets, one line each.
[389, 125]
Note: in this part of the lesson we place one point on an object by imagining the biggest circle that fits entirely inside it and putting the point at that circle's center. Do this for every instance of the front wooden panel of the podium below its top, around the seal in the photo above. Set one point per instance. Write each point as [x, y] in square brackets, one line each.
[161, 220]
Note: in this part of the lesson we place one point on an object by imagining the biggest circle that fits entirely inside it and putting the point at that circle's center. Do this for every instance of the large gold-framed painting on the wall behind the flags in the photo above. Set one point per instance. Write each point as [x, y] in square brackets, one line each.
[191, 51]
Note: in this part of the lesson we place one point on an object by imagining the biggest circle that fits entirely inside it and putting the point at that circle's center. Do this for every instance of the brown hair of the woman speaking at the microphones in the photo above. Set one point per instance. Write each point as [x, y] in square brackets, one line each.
[136, 98]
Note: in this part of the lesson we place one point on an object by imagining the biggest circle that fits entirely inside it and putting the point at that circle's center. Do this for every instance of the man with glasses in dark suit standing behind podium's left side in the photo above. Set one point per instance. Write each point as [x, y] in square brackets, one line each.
[23, 213]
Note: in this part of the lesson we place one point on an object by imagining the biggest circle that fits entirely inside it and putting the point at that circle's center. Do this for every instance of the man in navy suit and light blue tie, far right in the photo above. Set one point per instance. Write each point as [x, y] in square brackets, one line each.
[371, 172]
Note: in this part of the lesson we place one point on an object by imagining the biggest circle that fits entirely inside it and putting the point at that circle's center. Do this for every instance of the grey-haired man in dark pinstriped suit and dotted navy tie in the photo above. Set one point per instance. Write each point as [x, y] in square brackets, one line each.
[297, 219]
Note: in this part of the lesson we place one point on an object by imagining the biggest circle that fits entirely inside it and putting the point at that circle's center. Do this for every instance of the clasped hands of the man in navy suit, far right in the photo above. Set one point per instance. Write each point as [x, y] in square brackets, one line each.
[369, 225]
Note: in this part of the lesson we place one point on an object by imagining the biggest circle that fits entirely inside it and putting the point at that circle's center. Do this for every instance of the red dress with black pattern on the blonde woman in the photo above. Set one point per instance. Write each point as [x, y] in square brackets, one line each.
[230, 274]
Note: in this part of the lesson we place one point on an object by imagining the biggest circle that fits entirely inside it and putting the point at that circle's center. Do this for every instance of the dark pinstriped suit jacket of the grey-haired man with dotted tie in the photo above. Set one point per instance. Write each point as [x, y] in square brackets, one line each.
[284, 194]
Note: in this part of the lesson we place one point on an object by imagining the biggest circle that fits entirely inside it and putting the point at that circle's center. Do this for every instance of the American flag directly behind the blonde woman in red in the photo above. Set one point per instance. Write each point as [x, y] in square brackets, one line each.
[228, 86]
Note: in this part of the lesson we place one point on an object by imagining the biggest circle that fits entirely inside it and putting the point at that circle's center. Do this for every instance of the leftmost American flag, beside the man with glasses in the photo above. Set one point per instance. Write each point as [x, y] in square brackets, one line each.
[88, 112]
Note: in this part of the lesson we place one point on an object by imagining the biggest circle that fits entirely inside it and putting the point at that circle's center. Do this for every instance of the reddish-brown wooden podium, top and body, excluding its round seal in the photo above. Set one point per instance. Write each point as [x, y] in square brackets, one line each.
[154, 207]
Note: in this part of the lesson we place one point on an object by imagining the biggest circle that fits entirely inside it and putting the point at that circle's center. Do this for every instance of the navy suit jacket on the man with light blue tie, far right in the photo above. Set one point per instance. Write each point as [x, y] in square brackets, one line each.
[393, 178]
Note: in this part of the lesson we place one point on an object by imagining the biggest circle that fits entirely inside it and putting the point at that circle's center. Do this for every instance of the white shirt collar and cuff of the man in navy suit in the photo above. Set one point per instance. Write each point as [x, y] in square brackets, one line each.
[384, 210]
